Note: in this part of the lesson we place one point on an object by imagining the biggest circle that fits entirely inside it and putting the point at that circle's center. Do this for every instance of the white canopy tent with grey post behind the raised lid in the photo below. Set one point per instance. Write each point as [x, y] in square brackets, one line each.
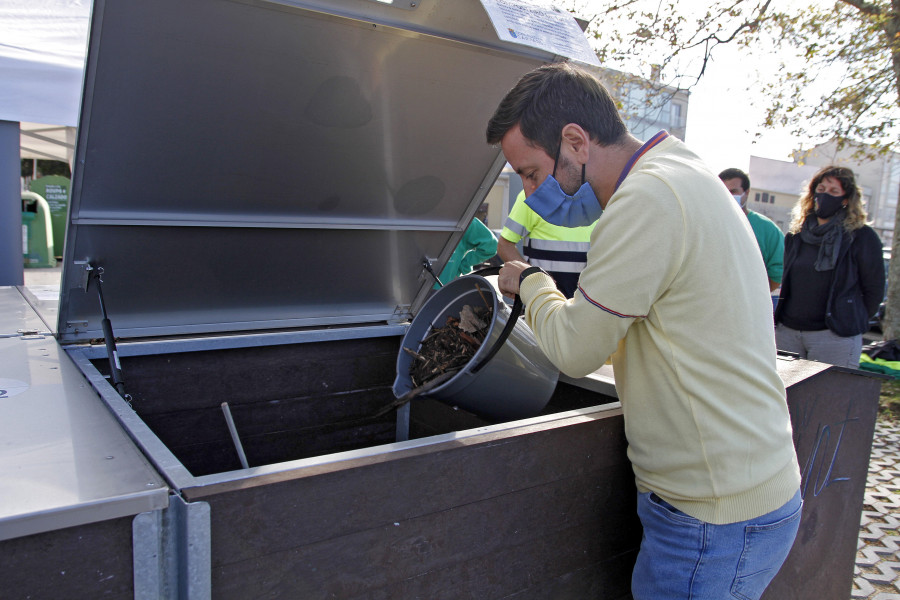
[42, 54]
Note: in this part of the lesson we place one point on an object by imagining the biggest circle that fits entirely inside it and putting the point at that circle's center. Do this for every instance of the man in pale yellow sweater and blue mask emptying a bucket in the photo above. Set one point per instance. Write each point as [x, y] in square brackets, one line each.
[672, 261]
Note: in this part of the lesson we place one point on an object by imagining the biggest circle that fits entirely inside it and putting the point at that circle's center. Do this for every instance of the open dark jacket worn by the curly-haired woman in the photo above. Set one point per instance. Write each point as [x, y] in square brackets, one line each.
[857, 285]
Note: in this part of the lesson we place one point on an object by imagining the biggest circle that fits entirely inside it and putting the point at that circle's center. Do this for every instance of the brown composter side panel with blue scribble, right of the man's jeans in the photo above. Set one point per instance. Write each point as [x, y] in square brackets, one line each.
[833, 416]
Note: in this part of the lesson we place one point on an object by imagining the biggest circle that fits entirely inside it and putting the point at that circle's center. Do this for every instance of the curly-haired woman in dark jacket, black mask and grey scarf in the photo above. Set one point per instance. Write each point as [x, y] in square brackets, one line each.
[833, 272]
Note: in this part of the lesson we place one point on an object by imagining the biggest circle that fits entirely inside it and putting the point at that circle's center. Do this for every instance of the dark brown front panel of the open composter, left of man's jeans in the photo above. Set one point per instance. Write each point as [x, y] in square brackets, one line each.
[551, 507]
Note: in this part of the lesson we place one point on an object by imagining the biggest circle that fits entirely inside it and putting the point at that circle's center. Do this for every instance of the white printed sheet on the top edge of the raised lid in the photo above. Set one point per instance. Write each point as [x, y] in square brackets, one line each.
[537, 24]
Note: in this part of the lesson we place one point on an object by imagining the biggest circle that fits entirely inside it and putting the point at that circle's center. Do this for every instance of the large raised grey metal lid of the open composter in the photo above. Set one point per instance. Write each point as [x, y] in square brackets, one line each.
[247, 165]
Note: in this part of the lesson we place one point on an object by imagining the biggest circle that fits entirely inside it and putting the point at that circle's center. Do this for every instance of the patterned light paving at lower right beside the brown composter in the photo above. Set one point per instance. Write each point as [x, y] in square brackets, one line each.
[877, 573]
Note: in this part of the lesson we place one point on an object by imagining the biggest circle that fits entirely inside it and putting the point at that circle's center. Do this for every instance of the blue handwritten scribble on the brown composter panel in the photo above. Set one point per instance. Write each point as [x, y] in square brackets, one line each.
[820, 464]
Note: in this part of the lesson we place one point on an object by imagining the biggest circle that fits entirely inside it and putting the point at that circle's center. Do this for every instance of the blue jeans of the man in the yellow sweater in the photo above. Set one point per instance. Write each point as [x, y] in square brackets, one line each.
[682, 558]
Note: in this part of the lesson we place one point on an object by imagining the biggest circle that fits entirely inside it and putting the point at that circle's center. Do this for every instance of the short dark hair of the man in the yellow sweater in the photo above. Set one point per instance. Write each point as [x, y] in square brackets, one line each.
[552, 96]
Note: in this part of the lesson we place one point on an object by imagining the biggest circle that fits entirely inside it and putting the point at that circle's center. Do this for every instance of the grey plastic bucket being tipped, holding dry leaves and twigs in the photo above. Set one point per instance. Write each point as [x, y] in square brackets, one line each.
[515, 384]
